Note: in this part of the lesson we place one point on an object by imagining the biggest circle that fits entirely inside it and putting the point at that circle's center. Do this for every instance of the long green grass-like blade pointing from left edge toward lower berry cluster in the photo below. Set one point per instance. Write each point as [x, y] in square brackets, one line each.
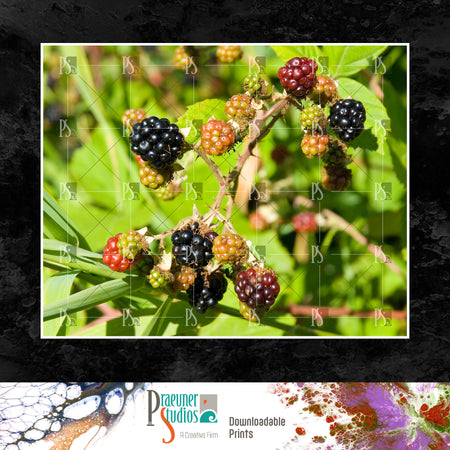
[93, 296]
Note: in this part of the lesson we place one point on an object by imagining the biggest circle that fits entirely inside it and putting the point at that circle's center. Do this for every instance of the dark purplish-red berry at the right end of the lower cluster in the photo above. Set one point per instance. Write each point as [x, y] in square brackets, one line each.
[257, 287]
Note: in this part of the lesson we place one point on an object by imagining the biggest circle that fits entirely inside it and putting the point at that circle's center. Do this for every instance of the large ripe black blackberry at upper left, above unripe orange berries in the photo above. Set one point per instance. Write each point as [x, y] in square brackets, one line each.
[157, 141]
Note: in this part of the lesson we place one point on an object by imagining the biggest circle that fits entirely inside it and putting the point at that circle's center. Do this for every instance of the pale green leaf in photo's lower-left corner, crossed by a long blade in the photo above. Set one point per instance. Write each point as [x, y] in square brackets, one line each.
[57, 286]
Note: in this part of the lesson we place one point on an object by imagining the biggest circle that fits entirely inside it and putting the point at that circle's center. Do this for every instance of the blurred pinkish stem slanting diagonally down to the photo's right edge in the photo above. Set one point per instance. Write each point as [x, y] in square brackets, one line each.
[338, 222]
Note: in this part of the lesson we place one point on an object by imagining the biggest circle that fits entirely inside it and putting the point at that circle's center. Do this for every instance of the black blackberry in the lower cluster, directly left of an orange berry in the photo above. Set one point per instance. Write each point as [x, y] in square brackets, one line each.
[190, 248]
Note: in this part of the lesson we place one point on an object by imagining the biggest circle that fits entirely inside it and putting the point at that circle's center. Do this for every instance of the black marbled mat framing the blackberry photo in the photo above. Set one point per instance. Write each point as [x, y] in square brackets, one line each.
[24, 357]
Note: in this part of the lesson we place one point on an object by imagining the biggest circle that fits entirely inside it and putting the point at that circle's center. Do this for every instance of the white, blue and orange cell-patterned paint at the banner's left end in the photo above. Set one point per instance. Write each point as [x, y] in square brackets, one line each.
[62, 416]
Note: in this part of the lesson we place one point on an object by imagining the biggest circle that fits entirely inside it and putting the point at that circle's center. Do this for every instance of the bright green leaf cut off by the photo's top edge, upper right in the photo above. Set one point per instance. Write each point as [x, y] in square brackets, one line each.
[347, 60]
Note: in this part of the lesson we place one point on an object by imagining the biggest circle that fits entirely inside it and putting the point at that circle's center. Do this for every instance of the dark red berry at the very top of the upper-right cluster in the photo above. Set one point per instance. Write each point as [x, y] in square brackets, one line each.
[298, 76]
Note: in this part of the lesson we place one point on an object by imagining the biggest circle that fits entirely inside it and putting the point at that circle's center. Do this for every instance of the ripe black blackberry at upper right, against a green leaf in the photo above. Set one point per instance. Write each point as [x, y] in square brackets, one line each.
[347, 119]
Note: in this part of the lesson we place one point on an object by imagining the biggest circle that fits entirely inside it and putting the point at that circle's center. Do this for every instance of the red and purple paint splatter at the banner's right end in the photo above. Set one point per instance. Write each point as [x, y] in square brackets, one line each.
[363, 416]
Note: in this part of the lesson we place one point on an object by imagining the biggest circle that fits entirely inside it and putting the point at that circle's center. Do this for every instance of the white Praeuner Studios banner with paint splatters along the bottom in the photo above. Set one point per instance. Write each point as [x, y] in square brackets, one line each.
[74, 416]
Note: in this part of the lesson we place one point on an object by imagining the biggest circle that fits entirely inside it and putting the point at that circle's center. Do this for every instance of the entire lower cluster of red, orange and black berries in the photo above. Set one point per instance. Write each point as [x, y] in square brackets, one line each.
[193, 248]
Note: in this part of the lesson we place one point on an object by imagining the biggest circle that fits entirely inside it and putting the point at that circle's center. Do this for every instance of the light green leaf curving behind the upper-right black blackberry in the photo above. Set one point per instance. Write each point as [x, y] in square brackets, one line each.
[377, 118]
